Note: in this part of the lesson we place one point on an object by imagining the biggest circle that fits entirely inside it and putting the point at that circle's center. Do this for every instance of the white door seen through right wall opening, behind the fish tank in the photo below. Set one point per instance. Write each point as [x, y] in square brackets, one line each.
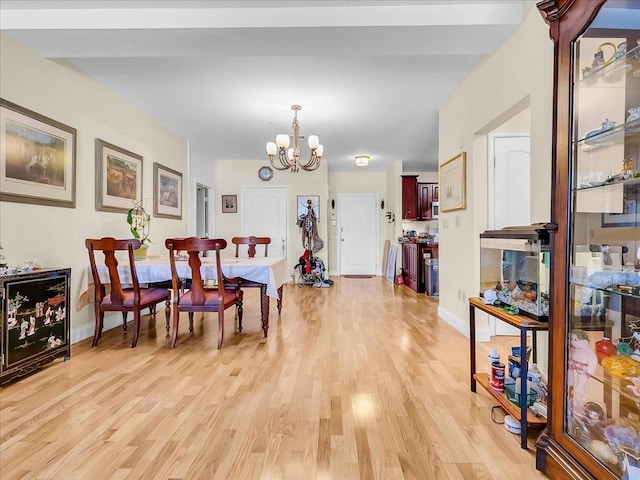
[509, 193]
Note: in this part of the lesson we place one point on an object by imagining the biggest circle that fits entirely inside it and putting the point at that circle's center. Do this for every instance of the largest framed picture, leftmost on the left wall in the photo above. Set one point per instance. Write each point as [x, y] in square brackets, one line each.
[37, 158]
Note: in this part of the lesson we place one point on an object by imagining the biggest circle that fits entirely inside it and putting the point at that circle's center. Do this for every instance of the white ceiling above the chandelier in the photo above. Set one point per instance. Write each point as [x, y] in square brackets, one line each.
[370, 75]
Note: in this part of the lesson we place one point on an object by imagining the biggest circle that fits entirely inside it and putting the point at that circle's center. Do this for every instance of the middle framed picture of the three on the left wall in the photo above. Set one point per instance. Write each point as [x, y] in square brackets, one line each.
[118, 178]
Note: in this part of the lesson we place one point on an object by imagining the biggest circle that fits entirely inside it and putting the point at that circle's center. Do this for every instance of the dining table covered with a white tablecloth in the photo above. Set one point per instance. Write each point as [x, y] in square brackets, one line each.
[271, 272]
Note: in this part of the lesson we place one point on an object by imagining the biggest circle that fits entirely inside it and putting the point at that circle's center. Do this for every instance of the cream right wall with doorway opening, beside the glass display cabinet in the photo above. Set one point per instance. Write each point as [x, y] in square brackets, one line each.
[518, 76]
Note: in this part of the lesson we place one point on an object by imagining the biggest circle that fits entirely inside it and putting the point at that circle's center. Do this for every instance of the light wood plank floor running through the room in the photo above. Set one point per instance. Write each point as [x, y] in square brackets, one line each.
[357, 381]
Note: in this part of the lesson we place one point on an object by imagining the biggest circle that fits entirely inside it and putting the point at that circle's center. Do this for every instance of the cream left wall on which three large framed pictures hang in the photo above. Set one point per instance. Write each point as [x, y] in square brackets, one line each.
[54, 236]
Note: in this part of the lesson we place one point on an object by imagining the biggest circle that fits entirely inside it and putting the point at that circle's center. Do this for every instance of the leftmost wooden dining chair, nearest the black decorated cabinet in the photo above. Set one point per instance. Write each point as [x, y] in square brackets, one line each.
[115, 296]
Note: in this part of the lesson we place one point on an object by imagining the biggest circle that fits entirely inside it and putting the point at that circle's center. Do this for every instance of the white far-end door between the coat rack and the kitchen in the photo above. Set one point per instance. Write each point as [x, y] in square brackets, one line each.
[358, 230]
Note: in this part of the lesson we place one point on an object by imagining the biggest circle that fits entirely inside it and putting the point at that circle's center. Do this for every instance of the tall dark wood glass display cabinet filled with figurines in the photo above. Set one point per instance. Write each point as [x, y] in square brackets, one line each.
[593, 427]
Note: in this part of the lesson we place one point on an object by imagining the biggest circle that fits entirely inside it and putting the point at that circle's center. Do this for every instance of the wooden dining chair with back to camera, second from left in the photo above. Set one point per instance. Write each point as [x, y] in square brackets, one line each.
[201, 297]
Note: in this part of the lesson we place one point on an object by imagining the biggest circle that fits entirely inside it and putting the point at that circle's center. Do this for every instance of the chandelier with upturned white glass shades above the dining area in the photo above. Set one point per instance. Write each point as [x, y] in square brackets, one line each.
[289, 158]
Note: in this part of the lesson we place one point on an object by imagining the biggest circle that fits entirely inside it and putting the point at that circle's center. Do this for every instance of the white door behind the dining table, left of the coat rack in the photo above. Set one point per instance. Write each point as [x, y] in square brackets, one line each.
[264, 214]
